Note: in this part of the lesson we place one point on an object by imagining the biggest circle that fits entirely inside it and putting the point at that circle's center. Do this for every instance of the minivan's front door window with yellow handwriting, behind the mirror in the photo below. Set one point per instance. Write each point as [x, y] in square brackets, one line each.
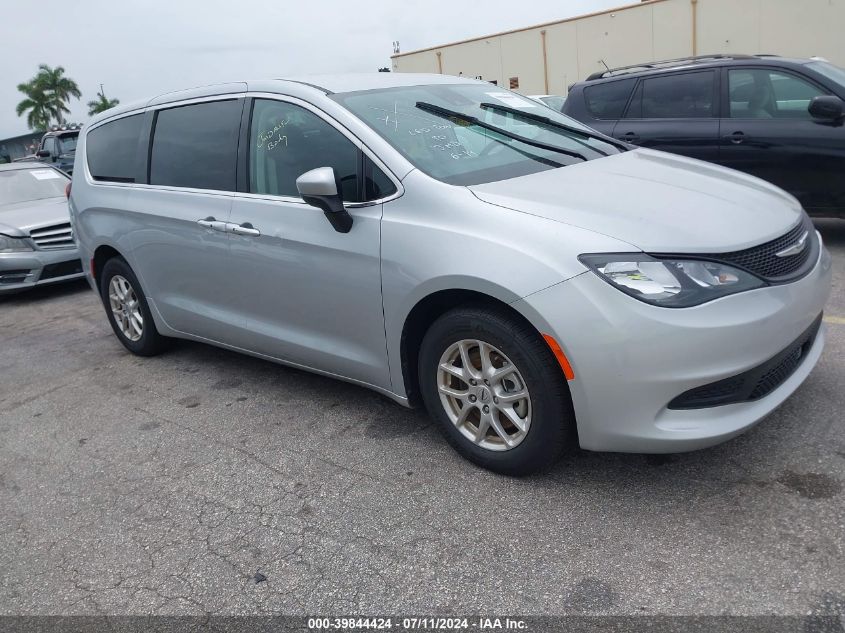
[286, 140]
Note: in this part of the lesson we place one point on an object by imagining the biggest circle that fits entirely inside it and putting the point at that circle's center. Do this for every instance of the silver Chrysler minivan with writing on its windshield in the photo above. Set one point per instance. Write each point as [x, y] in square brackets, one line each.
[531, 282]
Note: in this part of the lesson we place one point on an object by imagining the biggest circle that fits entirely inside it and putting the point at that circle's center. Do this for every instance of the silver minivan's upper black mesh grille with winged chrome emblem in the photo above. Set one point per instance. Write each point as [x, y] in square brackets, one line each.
[763, 261]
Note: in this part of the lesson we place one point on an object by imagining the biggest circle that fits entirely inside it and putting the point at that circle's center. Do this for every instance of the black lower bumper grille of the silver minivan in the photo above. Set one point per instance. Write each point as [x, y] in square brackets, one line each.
[755, 383]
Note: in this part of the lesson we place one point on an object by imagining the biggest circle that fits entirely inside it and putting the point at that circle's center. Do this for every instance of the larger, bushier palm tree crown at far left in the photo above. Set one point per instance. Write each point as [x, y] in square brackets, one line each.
[47, 95]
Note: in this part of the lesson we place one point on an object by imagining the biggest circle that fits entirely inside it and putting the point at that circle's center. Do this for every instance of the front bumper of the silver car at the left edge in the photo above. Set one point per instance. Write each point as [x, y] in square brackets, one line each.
[21, 271]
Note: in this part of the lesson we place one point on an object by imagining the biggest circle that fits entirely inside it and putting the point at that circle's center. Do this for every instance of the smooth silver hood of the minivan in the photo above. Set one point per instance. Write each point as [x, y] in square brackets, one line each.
[658, 202]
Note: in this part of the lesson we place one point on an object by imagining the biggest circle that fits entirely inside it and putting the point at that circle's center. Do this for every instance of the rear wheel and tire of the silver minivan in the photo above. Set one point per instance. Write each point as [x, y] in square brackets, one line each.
[128, 311]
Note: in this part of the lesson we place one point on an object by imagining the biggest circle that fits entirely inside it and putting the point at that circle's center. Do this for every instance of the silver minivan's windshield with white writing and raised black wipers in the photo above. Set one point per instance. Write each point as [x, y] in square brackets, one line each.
[460, 152]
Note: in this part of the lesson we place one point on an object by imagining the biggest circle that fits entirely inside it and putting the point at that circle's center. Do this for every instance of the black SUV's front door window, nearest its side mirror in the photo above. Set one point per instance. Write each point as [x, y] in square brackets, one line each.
[769, 94]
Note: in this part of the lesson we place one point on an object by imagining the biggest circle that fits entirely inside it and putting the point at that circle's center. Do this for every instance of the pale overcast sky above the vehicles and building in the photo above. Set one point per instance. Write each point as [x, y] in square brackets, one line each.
[142, 48]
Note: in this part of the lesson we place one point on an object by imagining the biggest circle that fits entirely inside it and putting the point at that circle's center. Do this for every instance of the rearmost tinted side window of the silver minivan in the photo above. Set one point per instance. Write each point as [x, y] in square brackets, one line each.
[111, 149]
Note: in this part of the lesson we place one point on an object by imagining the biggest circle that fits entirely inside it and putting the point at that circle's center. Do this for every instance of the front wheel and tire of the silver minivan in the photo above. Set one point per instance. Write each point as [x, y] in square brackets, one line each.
[496, 390]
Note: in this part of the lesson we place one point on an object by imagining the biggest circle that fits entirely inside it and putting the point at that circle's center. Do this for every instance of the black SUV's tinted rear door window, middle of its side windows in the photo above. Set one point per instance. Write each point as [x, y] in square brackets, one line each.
[677, 96]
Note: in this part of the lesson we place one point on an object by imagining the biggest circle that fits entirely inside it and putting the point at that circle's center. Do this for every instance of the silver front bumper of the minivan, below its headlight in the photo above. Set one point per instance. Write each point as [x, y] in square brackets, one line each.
[631, 359]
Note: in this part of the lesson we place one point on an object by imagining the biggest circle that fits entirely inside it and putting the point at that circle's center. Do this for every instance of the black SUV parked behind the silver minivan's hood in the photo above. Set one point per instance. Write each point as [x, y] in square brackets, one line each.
[777, 118]
